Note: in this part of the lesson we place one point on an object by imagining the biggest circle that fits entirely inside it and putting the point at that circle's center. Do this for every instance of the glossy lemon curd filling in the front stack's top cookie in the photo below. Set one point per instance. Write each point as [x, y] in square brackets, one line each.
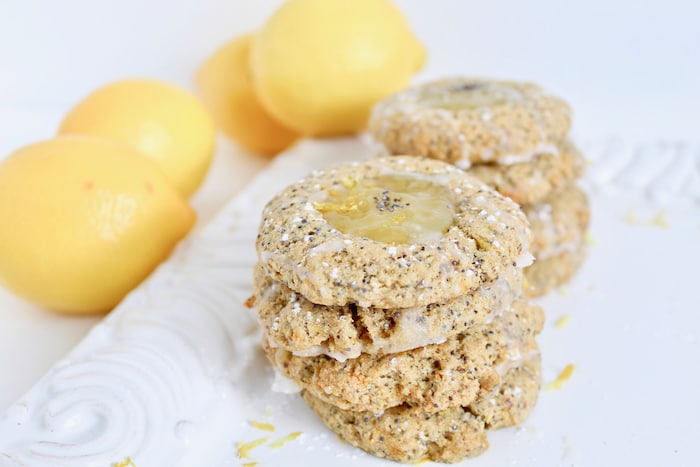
[395, 209]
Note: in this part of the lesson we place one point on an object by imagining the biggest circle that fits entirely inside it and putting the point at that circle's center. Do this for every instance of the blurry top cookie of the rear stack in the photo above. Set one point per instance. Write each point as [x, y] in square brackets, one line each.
[471, 120]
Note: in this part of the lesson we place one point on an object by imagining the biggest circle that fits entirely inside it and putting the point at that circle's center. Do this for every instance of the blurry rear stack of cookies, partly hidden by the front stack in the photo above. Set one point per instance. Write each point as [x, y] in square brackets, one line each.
[512, 136]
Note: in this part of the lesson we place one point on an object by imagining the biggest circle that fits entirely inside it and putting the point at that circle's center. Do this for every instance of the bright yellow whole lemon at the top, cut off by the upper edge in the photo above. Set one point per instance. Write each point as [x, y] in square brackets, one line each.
[319, 66]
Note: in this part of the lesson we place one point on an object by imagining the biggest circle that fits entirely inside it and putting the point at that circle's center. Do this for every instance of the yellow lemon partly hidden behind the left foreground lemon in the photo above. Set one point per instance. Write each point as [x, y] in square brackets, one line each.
[158, 119]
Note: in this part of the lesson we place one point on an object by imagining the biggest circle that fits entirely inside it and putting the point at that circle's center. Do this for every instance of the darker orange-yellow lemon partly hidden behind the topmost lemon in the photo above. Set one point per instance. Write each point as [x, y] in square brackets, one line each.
[224, 81]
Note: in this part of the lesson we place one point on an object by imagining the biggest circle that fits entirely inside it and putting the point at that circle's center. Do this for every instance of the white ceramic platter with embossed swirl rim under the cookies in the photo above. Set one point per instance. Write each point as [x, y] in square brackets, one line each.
[174, 376]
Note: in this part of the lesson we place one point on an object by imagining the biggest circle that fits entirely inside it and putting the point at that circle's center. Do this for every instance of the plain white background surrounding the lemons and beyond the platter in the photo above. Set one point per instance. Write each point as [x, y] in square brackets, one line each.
[630, 69]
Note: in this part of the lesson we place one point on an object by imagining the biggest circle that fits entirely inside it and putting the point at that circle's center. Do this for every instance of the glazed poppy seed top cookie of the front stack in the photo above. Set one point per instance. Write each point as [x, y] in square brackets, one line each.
[390, 233]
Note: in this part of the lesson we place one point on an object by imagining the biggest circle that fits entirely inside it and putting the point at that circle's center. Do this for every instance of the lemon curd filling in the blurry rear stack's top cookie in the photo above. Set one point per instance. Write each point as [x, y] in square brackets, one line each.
[469, 96]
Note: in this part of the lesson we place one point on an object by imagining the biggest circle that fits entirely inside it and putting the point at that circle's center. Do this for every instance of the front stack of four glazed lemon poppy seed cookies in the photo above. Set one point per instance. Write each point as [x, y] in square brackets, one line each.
[390, 291]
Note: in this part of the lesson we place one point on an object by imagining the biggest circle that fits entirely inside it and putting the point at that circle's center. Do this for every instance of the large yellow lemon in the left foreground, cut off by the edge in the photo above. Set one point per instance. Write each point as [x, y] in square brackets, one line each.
[83, 221]
